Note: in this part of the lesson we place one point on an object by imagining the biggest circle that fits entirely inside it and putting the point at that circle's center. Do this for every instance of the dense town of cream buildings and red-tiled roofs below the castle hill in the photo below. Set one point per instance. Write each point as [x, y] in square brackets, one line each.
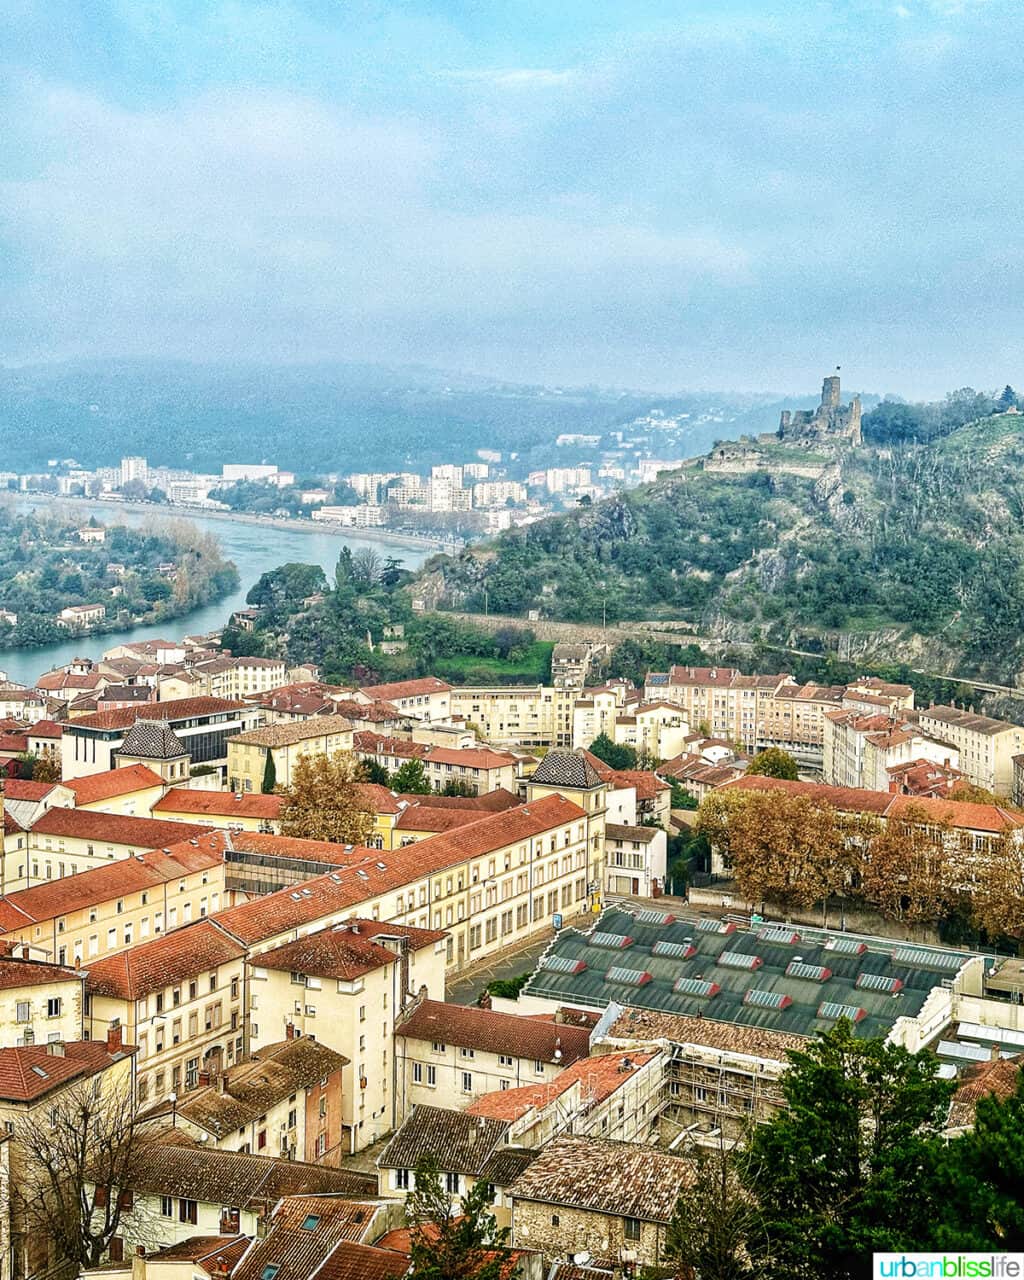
[282, 1031]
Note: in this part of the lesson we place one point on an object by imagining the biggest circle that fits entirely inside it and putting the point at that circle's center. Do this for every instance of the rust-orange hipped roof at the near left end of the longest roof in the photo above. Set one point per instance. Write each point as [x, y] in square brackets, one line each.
[163, 962]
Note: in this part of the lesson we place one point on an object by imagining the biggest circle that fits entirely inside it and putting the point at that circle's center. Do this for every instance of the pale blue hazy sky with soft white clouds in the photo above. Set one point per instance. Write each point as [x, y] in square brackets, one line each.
[670, 195]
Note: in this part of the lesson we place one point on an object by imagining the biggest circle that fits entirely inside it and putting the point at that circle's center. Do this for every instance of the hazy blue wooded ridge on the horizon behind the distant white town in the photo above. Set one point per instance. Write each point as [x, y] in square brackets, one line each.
[321, 418]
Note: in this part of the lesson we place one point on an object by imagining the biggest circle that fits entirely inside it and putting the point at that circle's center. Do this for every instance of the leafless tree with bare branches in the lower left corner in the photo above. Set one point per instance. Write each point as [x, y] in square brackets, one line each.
[75, 1173]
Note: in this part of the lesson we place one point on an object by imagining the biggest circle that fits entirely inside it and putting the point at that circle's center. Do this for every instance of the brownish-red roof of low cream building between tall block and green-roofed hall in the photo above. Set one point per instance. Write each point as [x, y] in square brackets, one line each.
[491, 1032]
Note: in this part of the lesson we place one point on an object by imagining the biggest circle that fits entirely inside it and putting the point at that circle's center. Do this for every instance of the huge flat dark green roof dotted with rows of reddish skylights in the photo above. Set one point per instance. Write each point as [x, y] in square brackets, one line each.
[811, 1004]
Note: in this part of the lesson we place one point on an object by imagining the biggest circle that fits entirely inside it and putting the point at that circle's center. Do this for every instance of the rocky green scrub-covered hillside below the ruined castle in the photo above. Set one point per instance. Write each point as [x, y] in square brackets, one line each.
[900, 552]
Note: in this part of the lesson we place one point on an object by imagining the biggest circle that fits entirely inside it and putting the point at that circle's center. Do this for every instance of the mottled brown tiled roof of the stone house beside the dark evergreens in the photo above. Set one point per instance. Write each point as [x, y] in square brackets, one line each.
[615, 1178]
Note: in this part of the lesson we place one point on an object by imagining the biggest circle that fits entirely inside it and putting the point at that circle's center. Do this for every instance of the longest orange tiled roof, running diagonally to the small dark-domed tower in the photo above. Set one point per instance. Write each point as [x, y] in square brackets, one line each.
[335, 893]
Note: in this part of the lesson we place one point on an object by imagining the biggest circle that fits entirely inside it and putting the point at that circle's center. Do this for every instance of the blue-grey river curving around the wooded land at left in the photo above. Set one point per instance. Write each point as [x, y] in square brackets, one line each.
[254, 548]
